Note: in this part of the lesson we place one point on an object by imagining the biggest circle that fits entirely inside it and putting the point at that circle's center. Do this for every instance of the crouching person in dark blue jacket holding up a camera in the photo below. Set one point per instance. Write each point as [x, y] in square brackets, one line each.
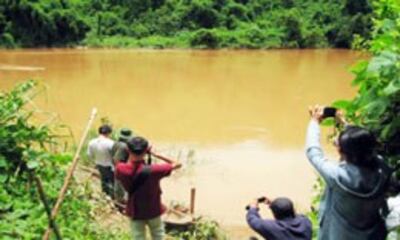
[286, 225]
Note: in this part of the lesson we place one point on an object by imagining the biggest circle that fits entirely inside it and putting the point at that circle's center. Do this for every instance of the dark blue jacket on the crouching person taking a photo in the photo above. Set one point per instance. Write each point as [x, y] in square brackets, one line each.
[297, 228]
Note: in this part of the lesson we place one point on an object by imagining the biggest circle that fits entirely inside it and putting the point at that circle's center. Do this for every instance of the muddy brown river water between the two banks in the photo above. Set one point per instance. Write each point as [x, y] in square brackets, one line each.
[237, 118]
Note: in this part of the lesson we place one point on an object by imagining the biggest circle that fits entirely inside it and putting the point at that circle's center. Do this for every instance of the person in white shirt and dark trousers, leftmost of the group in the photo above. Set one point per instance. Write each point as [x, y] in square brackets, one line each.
[99, 150]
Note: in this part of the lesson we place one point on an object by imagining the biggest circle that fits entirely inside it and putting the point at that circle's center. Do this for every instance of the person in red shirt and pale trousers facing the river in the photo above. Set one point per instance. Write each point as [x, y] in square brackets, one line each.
[142, 182]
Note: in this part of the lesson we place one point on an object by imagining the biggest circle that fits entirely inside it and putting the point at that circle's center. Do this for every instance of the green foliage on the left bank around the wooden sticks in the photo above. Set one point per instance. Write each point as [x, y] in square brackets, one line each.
[26, 147]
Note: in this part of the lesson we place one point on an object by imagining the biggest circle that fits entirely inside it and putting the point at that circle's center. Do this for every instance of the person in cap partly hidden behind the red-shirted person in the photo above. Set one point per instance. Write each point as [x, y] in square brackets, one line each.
[120, 153]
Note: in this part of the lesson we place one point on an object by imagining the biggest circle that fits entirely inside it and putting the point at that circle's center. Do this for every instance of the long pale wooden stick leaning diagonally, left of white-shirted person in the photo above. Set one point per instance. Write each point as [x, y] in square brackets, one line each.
[70, 173]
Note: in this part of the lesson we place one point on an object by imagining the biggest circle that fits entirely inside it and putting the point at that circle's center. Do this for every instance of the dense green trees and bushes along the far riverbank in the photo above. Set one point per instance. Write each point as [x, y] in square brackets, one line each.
[184, 23]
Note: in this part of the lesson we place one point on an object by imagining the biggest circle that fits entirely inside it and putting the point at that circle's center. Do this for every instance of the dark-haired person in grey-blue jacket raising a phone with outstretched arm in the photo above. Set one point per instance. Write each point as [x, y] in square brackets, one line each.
[350, 208]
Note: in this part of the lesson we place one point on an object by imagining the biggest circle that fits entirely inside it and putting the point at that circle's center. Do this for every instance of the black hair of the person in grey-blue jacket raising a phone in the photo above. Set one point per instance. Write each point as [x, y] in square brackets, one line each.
[358, 146]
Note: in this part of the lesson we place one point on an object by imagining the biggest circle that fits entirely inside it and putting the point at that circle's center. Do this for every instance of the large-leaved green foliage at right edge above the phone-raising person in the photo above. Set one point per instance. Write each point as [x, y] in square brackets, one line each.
[377, 104]
